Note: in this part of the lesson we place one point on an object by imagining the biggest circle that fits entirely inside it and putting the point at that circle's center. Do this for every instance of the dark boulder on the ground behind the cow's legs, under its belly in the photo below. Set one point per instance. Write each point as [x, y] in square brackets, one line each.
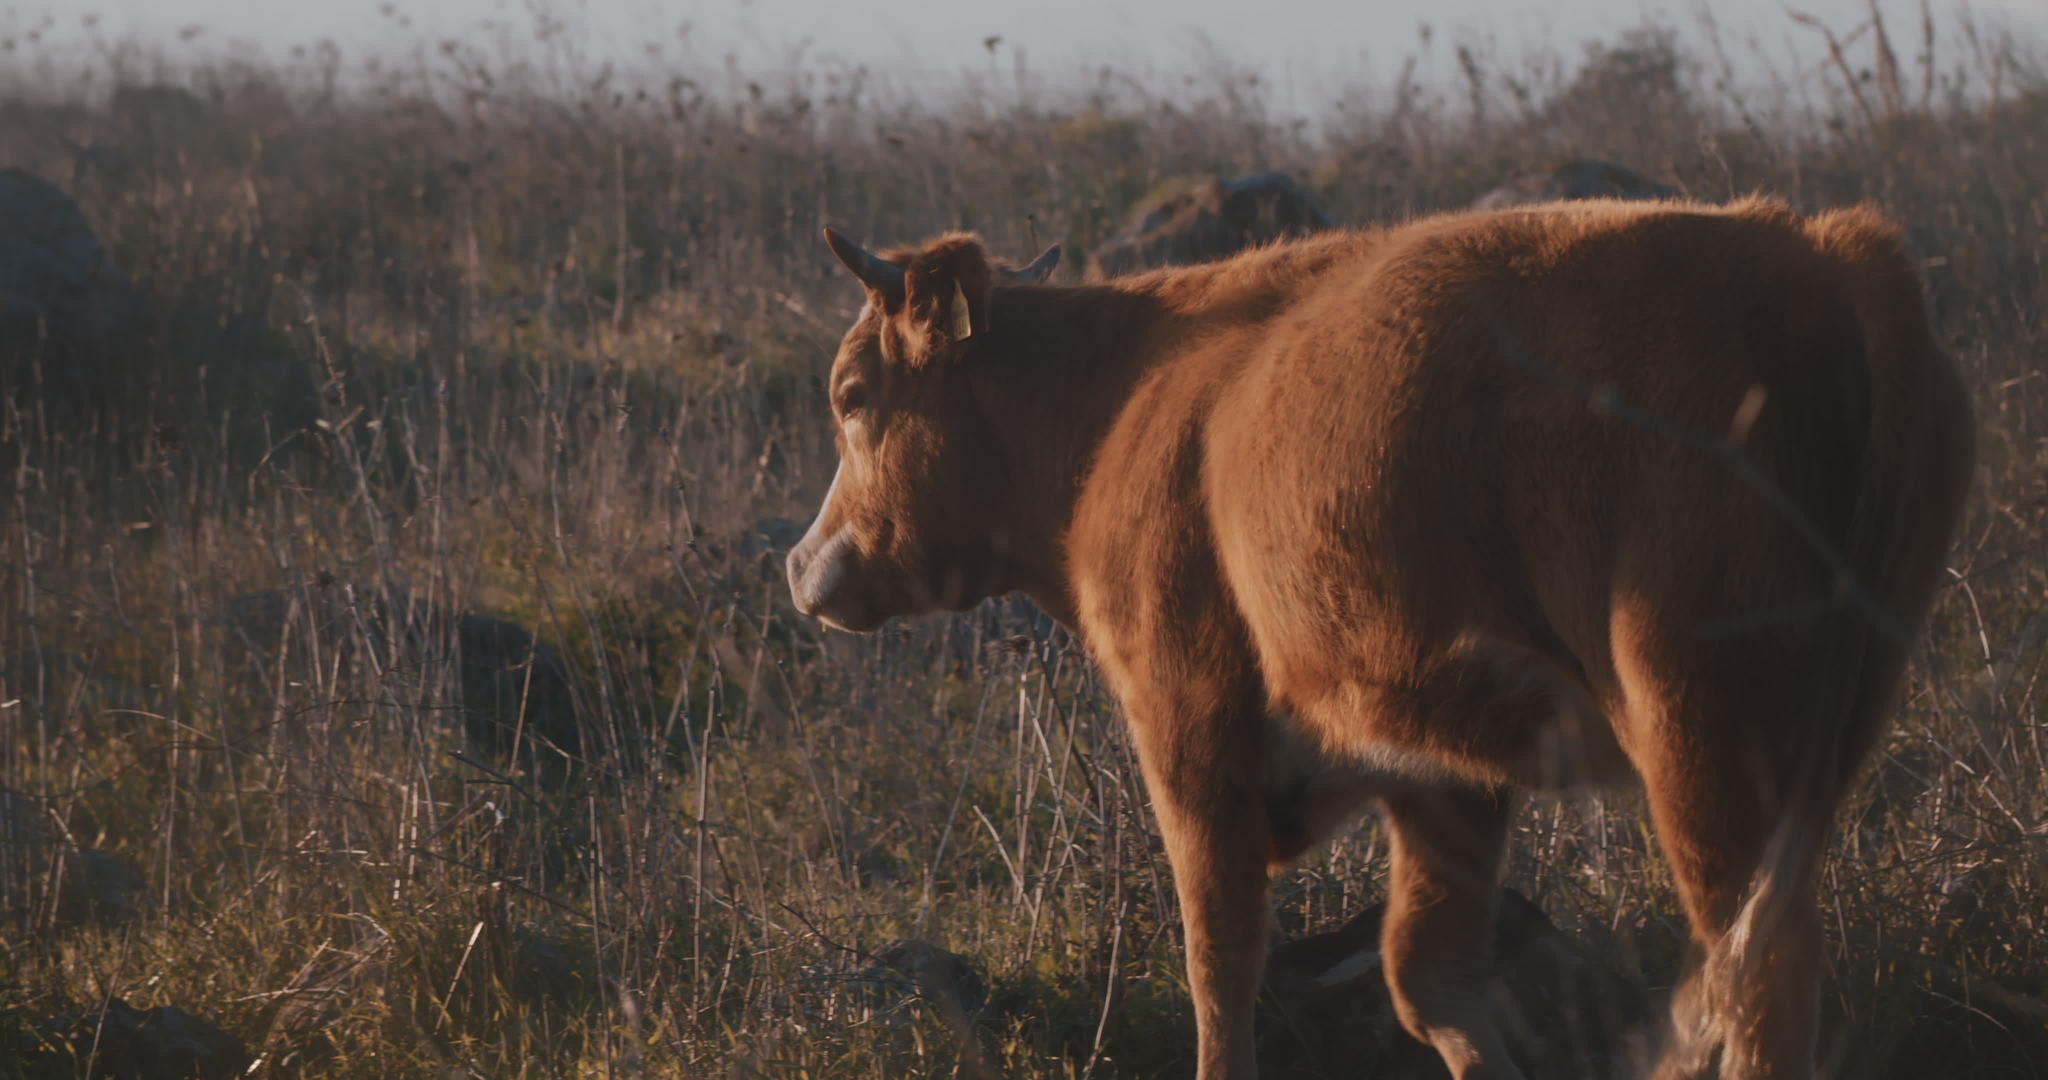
[1558, 1007]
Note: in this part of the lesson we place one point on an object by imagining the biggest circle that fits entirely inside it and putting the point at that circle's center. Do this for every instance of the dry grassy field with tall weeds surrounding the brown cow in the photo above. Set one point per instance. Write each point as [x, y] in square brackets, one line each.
[542, 345]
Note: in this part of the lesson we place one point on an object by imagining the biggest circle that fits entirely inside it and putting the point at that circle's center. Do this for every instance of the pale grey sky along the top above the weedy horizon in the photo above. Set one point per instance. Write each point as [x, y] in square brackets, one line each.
[1304, 56]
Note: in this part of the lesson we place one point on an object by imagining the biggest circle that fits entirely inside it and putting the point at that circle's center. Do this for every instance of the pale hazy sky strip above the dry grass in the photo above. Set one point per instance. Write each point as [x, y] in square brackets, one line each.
[1297, 46]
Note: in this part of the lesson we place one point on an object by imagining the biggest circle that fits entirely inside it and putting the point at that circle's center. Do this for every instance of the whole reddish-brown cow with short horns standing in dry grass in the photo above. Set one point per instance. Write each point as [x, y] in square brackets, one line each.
[1428, 515]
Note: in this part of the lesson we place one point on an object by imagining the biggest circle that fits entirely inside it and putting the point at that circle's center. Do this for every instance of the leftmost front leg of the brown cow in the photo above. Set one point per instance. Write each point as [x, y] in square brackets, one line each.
[1201, 749]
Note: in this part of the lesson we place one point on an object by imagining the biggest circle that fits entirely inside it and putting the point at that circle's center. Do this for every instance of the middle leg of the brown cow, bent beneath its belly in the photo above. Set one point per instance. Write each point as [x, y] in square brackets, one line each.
[1439, 933]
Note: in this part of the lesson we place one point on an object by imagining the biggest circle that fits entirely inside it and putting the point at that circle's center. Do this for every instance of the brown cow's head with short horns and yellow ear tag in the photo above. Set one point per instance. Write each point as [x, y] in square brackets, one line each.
[914, 520]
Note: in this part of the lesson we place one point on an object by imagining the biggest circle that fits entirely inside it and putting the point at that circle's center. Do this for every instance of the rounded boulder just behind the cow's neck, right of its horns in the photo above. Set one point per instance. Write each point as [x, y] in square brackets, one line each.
[1209, 220]
